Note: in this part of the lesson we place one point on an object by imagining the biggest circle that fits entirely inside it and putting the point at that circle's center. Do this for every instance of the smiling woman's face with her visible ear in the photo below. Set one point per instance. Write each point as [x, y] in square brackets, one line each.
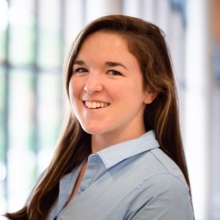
[106, 87]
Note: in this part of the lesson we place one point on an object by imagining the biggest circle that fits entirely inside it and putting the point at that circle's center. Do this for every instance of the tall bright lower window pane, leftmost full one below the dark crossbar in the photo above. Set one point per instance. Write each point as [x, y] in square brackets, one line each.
[21, 159]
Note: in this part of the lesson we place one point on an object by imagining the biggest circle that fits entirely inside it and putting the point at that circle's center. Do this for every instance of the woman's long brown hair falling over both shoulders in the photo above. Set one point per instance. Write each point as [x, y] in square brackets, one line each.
[146, 42]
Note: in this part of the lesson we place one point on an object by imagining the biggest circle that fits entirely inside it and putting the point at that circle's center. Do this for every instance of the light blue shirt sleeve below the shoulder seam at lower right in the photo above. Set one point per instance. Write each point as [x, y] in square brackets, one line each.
[161, 197]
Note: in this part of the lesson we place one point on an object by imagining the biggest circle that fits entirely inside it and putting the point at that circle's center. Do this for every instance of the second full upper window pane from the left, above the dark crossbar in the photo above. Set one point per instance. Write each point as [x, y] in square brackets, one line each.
[50, 48]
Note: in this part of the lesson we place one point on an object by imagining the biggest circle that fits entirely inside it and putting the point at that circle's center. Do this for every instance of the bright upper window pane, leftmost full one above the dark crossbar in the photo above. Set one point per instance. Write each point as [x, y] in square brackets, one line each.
[22, 36]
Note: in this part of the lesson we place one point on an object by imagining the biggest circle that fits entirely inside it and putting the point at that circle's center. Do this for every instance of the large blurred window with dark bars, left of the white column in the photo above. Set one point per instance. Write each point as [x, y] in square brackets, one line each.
[34, 38]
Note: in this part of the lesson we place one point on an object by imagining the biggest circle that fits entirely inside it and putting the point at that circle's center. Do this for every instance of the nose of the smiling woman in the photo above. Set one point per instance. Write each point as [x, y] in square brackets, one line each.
[93, 83]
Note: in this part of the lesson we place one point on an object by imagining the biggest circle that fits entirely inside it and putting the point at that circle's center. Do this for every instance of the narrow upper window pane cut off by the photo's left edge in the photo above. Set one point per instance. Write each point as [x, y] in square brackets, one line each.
[3, 26]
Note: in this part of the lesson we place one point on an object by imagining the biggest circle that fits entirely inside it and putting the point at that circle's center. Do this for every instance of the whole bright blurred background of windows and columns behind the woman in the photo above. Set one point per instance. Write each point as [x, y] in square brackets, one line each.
[35, 36]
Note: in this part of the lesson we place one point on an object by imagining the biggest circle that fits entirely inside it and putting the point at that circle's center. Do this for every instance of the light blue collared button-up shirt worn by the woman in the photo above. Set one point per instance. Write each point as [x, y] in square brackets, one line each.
[131, 180]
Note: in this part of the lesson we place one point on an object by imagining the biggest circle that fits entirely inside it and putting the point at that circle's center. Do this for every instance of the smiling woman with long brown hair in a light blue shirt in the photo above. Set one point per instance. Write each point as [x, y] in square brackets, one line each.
[120, 154]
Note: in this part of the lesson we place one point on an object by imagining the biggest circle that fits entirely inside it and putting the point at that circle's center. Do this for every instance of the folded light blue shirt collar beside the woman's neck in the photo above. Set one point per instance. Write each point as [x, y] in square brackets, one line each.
[116, 153]
